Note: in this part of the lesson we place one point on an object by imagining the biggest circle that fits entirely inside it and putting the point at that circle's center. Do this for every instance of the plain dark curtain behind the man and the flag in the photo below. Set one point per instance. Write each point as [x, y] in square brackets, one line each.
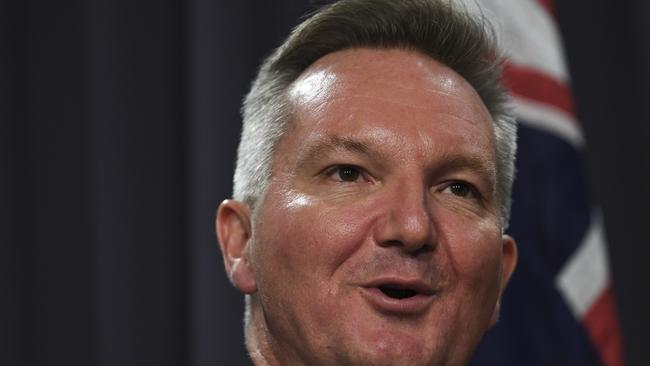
[119, 123]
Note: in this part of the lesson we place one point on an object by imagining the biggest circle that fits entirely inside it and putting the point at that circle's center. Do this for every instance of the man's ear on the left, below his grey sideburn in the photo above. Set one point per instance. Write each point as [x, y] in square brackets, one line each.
[234, 232]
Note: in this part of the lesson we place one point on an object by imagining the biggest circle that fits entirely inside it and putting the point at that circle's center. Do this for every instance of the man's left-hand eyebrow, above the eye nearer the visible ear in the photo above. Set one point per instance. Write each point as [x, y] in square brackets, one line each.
[337, 144]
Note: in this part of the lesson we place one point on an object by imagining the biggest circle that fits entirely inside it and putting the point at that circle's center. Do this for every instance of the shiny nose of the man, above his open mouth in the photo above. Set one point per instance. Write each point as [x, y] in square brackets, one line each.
[406, 220]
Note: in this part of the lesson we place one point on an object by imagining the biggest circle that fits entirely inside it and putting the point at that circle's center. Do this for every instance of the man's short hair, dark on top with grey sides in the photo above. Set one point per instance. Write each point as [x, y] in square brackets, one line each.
[438, 29]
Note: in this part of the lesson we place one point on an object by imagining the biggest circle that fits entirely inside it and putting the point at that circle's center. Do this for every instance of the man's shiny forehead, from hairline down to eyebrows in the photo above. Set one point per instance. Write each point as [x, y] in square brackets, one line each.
[391, 95]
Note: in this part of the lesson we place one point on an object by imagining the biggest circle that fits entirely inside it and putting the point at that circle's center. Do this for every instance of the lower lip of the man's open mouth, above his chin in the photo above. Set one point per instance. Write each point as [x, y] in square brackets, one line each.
[385, 304]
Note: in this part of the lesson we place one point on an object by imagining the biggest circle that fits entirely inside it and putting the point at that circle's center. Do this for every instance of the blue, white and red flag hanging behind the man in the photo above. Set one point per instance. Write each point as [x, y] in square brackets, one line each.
[558, 308]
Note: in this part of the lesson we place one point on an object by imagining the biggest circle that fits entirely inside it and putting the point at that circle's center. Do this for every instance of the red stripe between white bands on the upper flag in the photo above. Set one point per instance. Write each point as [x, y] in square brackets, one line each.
[532, 84]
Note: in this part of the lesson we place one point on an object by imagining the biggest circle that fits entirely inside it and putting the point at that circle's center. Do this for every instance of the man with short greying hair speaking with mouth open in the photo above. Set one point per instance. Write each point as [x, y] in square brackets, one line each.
[372, 190]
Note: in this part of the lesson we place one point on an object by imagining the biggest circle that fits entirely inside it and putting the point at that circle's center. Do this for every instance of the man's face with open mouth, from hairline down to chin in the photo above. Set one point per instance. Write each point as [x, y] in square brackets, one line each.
[379, 239]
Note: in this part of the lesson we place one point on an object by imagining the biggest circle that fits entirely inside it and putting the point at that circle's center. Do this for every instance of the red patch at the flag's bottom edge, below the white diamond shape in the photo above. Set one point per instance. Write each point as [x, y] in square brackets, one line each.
[602, 326]
